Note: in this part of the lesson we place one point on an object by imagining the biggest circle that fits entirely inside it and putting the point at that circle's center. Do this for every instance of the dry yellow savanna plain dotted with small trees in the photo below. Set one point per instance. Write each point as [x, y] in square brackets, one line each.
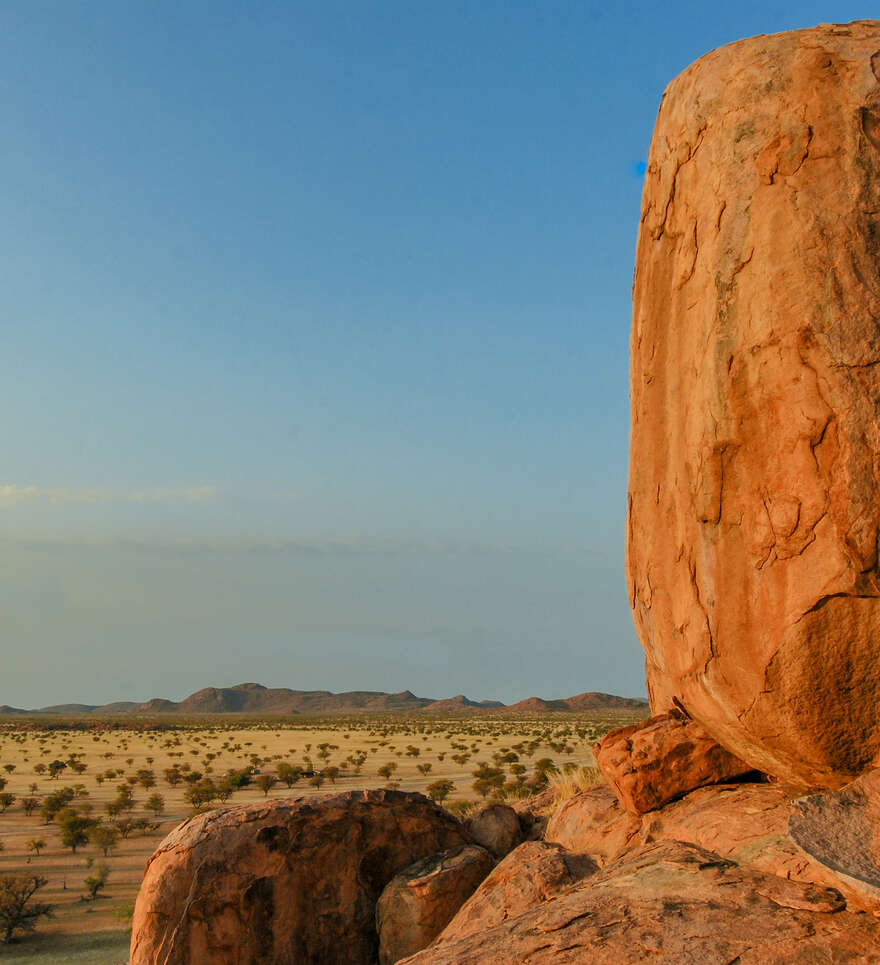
[168, 765]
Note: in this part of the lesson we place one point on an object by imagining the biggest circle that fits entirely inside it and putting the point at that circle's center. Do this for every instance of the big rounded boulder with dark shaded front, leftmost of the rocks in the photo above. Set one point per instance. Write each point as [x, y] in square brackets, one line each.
[286, 882]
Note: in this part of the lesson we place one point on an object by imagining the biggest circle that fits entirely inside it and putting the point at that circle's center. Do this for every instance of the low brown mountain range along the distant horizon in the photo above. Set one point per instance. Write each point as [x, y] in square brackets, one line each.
[257, 699]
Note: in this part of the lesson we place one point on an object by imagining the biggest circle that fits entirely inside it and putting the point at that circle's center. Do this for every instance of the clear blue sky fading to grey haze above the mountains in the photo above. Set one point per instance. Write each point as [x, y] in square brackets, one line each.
[315, 322]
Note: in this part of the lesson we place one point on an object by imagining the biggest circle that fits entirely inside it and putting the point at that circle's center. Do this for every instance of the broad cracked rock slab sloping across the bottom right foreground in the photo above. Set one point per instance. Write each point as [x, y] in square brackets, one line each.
[678, 903]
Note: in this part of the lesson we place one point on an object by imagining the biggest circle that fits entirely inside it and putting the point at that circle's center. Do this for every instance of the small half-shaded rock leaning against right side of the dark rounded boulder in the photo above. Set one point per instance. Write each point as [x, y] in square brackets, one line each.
[419, 903]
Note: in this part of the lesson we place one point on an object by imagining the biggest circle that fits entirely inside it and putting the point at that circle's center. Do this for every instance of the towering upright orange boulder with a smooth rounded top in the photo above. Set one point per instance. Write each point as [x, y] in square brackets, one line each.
[752, 530]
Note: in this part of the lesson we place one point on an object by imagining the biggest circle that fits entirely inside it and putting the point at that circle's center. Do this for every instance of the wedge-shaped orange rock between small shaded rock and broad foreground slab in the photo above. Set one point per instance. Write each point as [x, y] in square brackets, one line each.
[532, 873]
